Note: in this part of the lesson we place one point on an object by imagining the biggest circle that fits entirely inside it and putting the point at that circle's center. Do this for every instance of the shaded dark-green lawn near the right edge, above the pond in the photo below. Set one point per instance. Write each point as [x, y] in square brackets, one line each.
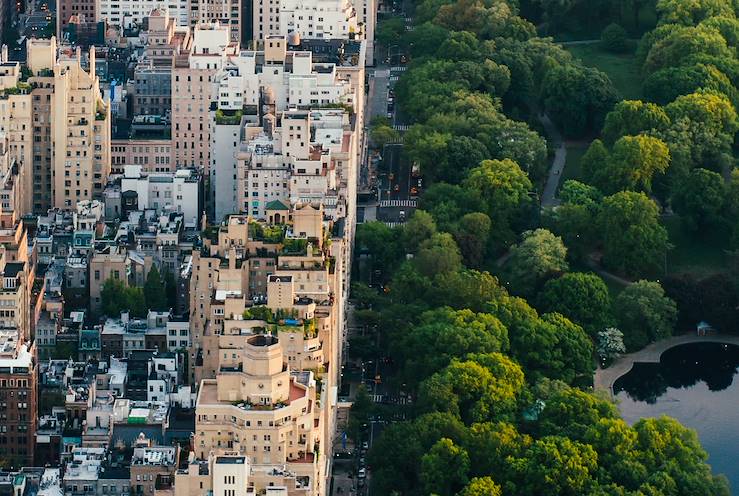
[701, 254]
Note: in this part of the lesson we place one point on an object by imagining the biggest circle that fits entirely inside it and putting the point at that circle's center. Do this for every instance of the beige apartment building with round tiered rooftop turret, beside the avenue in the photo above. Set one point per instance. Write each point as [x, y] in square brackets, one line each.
[269, 414]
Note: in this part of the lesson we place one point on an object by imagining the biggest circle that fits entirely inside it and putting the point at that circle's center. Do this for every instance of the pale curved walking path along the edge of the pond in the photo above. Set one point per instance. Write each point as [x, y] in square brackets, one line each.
[605, 378]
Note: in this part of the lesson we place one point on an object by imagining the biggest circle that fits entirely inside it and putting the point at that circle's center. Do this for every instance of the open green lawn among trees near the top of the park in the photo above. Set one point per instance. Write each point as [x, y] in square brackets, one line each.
[623, 69]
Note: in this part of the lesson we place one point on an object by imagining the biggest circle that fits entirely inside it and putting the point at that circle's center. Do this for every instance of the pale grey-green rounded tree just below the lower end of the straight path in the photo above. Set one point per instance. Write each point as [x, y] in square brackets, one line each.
[540, 255]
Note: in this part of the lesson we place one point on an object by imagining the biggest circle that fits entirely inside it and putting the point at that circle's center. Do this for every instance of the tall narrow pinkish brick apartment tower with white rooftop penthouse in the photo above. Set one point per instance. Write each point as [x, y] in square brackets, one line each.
[192, 93]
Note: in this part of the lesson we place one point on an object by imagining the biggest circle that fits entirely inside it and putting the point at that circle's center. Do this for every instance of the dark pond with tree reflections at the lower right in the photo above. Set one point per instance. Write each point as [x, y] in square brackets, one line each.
[695, 384]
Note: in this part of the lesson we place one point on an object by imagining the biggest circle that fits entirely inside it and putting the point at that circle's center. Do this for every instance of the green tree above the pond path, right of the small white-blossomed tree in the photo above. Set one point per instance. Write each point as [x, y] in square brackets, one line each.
[644, 314]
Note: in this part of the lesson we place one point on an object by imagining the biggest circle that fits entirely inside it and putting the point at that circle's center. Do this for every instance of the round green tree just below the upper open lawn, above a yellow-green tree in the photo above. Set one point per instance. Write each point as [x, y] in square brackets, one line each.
[633, 117]
